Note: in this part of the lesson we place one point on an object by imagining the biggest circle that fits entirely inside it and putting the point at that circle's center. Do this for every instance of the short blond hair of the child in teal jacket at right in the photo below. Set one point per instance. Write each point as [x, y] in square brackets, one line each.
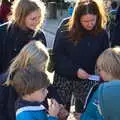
[109, 61]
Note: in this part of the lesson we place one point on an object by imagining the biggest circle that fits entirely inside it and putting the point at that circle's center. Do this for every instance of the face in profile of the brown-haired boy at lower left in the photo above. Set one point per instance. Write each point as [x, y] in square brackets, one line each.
[40, 95]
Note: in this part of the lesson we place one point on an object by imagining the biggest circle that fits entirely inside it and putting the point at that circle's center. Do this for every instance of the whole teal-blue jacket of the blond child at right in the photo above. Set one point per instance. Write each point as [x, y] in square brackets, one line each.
[104, 103]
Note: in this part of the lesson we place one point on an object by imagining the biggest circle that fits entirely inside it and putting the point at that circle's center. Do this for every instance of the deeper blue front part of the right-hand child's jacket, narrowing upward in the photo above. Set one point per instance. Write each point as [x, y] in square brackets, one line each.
[92, 111]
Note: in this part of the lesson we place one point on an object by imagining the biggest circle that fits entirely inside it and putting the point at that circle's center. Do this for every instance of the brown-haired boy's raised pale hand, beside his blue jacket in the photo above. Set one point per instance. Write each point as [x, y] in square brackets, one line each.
[54, 107]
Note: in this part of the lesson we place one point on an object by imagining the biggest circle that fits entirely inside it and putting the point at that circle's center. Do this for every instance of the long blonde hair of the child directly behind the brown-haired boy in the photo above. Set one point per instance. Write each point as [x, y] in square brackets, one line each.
[33, 54]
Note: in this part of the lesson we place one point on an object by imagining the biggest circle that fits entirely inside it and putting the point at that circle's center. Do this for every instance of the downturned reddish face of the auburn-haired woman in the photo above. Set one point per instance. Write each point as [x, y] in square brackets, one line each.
[88, 21]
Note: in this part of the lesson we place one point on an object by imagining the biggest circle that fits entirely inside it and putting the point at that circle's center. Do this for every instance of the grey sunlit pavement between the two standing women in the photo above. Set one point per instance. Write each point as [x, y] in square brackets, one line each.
[50, 27]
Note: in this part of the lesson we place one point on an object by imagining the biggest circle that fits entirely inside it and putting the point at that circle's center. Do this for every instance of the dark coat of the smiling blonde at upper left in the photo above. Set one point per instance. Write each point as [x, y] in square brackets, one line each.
[12, 39]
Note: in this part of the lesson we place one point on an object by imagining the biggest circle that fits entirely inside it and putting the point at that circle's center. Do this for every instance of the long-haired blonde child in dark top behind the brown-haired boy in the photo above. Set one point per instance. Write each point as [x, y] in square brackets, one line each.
[33, 54]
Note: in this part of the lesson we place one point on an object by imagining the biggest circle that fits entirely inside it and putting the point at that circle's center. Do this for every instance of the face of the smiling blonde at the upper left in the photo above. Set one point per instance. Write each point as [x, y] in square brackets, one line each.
[32, 19]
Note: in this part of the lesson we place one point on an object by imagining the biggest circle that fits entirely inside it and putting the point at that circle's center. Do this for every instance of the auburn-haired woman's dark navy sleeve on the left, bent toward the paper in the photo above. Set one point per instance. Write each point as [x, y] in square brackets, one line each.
[63, 63]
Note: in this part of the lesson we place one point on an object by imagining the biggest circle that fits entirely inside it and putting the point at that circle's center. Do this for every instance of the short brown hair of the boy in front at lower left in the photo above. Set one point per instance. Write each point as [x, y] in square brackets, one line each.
[29, 80]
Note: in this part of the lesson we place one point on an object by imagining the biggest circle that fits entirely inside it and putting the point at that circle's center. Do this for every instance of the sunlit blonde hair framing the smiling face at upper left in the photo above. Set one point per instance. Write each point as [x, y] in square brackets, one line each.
[22, 8]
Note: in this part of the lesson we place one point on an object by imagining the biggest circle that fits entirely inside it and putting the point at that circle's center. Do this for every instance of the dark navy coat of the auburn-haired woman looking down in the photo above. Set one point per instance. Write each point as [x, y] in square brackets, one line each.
[70, 57]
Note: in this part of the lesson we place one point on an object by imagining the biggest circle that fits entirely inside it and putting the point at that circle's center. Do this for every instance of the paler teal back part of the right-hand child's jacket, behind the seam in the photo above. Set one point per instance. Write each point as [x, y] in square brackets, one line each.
[109, 99]
